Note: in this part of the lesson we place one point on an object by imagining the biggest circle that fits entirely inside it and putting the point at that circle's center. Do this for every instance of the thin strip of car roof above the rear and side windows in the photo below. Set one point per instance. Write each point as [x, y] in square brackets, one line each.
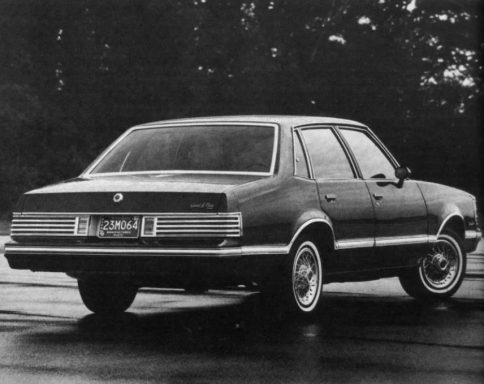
[284, 120]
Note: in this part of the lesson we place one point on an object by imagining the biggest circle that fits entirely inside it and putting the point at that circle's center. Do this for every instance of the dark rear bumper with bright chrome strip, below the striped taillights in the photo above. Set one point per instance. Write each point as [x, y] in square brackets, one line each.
[170, 266]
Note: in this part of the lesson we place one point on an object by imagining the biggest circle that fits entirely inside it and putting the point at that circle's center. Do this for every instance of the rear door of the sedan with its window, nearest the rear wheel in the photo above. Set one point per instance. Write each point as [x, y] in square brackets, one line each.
[343, 197]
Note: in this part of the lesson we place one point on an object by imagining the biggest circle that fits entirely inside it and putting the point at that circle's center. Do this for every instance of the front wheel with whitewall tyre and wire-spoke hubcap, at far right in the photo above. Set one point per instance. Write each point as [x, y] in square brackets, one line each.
[440, 272]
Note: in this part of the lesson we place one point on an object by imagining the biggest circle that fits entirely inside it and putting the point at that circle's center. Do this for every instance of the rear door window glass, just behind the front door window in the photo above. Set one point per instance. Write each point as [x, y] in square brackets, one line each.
[328, 158]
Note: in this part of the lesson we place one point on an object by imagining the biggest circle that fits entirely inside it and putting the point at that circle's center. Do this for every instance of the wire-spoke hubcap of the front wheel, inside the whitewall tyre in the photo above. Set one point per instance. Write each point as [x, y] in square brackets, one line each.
[441, 266]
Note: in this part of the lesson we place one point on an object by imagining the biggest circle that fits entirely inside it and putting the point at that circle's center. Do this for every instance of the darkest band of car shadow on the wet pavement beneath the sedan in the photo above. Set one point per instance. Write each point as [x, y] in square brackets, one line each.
[235, 328]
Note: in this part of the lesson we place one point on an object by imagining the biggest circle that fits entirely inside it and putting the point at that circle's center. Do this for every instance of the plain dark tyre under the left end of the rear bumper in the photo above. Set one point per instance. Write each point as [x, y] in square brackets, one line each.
[106, 296]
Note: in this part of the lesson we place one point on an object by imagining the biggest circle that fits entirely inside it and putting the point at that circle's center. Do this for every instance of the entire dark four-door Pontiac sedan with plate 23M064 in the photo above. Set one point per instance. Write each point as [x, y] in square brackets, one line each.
[281, 204]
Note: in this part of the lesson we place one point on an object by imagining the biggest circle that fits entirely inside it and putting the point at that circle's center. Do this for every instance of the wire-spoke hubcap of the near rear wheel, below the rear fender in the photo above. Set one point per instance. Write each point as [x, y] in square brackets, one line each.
[306, 276]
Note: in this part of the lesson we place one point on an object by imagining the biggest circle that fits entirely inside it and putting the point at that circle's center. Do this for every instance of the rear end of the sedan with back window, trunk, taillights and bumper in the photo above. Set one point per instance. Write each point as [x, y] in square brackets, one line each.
[154, 207]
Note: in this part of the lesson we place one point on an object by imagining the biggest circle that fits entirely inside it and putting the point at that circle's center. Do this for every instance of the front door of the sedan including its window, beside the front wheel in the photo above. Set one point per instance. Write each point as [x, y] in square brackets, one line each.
[400, 210]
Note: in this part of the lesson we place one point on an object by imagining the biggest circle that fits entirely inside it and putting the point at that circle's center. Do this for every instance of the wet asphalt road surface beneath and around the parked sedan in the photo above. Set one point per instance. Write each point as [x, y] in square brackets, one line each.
[367, 333]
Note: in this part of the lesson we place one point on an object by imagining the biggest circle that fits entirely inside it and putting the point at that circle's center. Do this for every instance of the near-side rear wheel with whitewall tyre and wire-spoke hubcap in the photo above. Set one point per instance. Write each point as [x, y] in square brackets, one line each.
[306, 276]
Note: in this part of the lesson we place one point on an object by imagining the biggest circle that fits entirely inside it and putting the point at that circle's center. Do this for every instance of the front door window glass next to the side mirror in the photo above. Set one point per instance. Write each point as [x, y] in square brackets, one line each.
[372, 161]
